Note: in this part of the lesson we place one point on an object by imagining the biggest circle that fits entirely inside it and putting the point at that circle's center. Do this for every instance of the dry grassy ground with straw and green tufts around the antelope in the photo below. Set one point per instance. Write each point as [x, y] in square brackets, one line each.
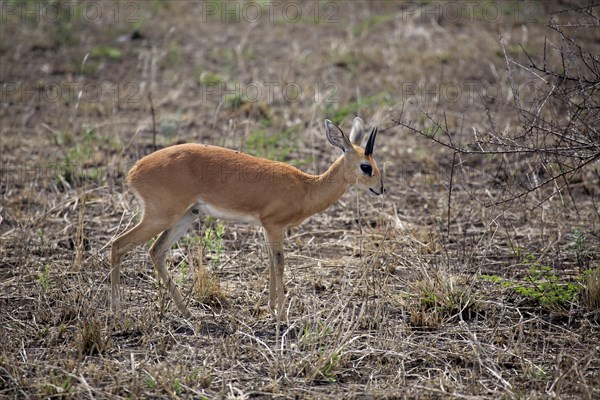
[415, 294]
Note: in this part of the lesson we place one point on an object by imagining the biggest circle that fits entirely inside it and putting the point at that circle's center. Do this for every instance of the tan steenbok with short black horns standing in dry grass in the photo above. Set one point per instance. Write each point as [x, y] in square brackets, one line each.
[177, 184]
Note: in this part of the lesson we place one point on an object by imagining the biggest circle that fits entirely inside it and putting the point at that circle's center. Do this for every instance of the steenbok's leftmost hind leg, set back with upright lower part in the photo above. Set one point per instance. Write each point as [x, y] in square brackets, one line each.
[137, 235]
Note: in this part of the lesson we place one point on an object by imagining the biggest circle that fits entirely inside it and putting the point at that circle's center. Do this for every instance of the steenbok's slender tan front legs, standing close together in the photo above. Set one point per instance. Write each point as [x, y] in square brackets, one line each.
[274, 238]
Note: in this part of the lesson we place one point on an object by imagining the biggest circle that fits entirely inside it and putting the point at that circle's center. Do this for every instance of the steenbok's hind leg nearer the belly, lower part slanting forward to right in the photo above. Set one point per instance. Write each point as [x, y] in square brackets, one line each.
[159, 250]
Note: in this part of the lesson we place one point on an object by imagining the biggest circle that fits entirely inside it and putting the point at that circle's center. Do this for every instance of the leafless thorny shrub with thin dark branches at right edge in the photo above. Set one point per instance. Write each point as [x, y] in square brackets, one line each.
[556, 100]
